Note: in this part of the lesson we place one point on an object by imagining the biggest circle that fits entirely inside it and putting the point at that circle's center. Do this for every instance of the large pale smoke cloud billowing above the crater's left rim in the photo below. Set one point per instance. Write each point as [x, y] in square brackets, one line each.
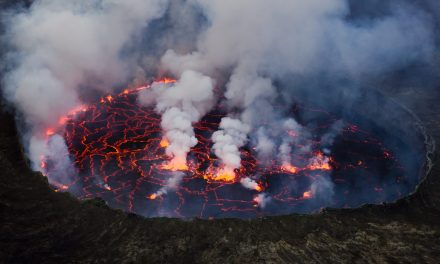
[61, 48]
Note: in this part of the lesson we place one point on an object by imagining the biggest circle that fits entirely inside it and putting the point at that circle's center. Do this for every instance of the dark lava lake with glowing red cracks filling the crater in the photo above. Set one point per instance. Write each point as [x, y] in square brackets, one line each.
[118, 154]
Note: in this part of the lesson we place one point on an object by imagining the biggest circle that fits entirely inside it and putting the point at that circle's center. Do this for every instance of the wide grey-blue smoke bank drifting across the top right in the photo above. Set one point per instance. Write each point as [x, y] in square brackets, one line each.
[298, 37]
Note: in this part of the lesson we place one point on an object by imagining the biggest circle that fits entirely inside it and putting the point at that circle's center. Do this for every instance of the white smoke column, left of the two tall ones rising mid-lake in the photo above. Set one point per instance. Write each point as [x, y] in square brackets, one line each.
[181, 105]
